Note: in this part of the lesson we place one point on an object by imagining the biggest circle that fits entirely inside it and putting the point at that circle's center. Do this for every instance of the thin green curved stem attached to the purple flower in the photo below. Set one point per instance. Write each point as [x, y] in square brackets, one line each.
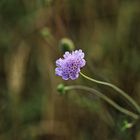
[115, 88]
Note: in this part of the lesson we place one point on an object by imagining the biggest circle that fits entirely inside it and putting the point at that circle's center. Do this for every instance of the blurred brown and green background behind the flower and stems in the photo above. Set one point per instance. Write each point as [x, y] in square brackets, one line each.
[108, 31]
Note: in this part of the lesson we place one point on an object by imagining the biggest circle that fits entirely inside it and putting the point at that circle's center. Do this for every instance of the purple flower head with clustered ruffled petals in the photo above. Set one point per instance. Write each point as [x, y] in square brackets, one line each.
[69, 66]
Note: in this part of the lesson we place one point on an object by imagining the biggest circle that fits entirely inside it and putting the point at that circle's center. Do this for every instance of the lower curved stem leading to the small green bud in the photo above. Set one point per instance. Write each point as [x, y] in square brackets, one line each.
[105, 98]
